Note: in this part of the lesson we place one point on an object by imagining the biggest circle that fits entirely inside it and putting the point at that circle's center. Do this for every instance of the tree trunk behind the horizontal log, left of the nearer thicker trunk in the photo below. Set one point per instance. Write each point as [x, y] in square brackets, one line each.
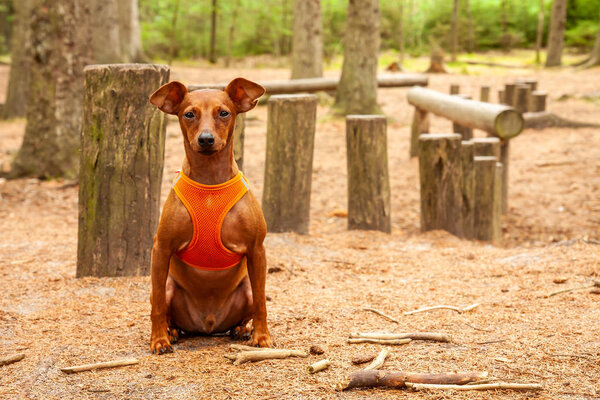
[307, 44]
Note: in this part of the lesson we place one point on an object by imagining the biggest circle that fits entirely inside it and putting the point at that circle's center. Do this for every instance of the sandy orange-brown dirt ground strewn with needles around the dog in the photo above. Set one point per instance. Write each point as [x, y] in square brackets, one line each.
[320, 283]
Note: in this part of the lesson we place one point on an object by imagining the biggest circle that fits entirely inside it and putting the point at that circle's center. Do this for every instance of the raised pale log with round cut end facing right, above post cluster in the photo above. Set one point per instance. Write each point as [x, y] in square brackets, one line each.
[498, 120]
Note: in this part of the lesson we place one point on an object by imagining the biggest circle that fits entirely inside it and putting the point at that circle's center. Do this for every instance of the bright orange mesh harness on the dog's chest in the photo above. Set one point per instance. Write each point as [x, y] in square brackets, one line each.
[208, 205]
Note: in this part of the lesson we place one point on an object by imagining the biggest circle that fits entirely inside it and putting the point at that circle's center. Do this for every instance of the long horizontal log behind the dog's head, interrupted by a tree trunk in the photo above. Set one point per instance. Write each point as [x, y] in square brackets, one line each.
[310, 85]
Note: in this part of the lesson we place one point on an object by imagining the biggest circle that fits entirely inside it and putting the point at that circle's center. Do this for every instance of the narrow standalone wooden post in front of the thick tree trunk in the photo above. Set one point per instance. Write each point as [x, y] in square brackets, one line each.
[368, 179]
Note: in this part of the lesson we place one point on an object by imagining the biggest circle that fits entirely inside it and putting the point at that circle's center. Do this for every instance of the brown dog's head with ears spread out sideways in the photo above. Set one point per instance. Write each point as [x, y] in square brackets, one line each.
[207, 116]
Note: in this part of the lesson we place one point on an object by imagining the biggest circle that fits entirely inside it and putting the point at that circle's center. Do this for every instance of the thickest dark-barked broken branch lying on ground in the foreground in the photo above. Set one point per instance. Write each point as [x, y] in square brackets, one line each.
[398, 379]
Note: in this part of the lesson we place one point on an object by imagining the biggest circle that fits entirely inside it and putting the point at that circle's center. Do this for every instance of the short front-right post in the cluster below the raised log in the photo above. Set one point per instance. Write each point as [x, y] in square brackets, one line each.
[485, 222]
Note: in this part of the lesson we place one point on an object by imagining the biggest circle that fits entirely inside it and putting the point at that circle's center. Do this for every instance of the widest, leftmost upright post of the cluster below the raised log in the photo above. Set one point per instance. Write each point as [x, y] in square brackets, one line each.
[440, 175]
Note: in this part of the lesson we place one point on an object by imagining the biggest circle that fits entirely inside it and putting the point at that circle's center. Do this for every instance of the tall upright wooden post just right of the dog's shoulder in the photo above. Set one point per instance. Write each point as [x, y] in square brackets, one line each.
[288, 166]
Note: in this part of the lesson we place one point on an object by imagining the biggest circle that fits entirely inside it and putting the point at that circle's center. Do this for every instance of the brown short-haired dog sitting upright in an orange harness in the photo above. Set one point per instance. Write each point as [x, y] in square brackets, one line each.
[208, 295]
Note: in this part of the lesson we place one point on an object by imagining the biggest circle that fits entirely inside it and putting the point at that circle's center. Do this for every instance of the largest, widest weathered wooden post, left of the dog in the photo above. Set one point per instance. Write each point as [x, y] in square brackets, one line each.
[121, 166]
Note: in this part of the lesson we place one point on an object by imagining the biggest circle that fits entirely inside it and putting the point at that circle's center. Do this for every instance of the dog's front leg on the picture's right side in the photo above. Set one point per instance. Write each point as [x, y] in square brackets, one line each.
[257, 271]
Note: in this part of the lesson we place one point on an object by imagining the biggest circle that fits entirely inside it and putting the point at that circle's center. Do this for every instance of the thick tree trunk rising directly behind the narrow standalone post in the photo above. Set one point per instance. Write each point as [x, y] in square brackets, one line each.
[357, 91]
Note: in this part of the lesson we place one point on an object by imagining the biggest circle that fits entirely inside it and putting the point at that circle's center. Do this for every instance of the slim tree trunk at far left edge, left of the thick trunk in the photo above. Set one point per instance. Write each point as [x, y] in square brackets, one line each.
[17, 96]
